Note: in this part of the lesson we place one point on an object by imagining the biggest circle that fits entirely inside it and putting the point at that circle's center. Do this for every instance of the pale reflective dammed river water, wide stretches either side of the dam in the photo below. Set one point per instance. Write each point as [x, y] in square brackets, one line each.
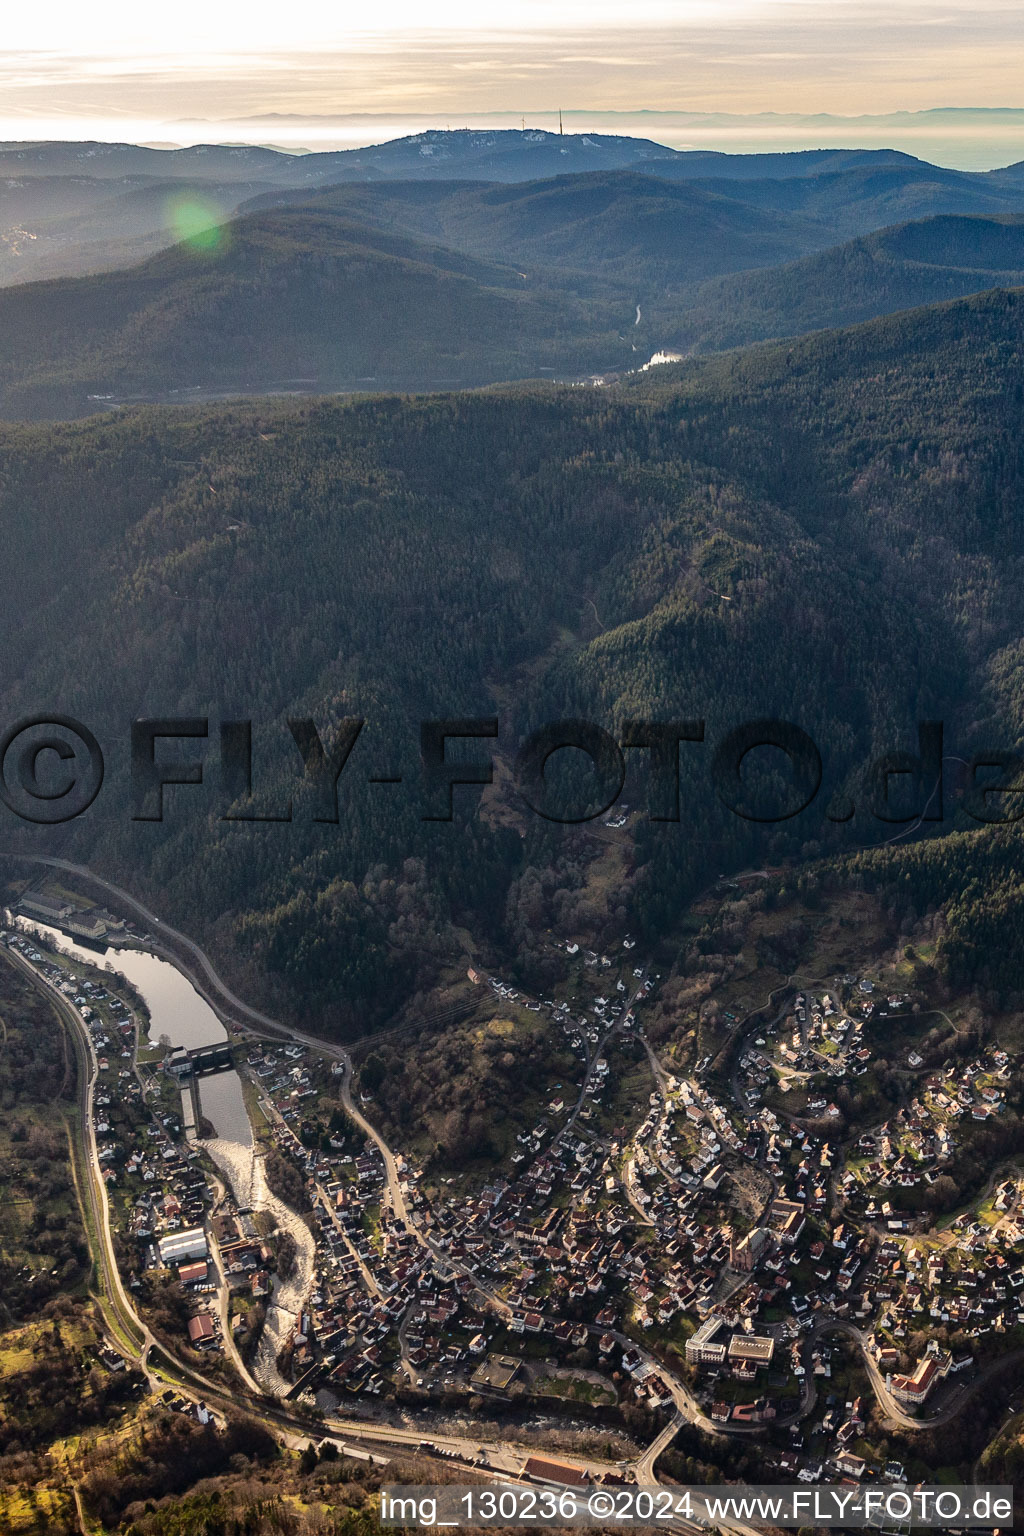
[177, 1016]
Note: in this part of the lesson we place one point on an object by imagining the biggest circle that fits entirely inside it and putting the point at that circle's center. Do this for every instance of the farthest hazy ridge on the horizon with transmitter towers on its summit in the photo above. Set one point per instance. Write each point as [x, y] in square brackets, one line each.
[70, 210]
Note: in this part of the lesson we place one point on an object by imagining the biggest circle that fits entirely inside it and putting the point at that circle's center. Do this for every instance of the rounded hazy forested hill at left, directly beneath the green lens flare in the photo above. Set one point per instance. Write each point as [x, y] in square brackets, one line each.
[286, 300]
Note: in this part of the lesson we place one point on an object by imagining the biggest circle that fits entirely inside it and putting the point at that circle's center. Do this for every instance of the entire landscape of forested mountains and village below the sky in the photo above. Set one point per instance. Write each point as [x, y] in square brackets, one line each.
[349, 1145]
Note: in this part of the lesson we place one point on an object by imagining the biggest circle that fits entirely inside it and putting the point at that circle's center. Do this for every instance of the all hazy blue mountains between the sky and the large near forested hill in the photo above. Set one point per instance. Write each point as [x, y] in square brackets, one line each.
[437, 262]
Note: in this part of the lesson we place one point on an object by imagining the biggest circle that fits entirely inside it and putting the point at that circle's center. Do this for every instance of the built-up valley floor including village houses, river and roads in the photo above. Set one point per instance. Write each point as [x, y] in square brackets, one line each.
[699, 1265]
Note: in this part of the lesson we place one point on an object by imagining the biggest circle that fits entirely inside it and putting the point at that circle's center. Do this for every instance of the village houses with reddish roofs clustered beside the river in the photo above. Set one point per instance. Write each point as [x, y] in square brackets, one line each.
[722, 1257]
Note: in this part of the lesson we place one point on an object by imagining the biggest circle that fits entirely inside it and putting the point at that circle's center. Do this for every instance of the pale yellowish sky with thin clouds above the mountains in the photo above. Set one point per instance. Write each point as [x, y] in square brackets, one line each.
[122, 70]
